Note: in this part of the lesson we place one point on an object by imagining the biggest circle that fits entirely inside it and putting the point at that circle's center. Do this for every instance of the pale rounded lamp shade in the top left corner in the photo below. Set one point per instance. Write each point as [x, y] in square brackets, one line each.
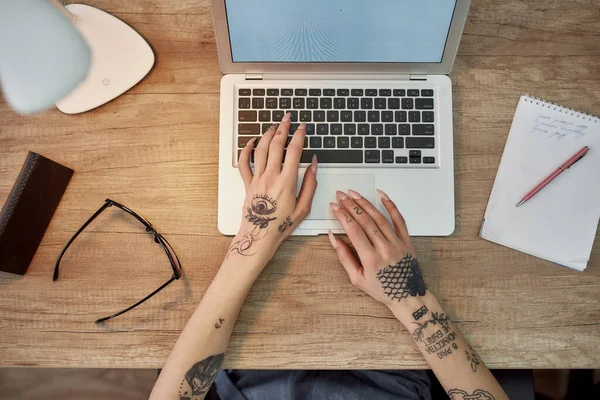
[42, 55]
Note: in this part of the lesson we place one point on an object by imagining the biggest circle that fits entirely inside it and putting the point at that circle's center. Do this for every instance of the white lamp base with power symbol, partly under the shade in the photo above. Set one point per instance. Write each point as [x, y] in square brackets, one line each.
[120, 59]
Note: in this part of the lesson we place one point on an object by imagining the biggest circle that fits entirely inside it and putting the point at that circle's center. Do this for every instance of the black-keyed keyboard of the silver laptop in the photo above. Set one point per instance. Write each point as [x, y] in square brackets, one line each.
[391, 127]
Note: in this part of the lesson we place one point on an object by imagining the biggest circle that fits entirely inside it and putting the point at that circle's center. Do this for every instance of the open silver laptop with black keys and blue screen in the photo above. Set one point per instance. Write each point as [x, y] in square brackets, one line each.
[370, 81]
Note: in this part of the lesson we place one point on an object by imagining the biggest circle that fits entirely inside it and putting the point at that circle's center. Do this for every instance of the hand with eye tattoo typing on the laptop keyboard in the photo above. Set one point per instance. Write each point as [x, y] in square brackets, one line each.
[271, 210]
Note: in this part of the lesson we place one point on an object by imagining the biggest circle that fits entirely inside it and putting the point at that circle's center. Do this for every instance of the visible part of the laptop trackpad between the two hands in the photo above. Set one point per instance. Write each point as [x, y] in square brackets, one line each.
[330, 183]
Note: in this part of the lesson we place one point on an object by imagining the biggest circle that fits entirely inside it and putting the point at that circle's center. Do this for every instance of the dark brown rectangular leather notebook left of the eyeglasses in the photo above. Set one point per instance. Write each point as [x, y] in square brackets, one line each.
[29, 209]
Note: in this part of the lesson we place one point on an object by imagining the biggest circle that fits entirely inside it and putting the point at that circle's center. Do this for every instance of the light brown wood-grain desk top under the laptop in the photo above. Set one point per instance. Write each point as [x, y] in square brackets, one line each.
[155, 150]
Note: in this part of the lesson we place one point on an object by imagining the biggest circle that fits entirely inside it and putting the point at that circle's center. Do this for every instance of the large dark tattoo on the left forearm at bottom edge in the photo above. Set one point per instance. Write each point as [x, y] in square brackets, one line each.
[200, 377]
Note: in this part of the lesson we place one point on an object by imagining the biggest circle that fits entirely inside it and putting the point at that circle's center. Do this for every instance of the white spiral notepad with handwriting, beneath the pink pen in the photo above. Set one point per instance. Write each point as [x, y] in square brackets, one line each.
[559, 223]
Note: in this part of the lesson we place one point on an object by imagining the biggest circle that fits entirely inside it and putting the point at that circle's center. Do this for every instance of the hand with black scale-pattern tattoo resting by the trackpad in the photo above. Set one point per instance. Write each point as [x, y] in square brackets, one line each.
[388, 270]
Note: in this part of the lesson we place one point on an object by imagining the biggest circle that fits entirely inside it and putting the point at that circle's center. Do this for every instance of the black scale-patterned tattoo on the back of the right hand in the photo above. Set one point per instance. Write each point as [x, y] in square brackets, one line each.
[403, 279]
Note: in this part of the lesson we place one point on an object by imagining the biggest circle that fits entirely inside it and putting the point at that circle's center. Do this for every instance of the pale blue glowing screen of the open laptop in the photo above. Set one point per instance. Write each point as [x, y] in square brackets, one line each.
[350, 31]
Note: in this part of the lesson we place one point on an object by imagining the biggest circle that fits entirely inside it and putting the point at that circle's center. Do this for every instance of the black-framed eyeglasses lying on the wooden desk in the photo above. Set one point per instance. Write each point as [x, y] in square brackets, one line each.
[158, 238]
